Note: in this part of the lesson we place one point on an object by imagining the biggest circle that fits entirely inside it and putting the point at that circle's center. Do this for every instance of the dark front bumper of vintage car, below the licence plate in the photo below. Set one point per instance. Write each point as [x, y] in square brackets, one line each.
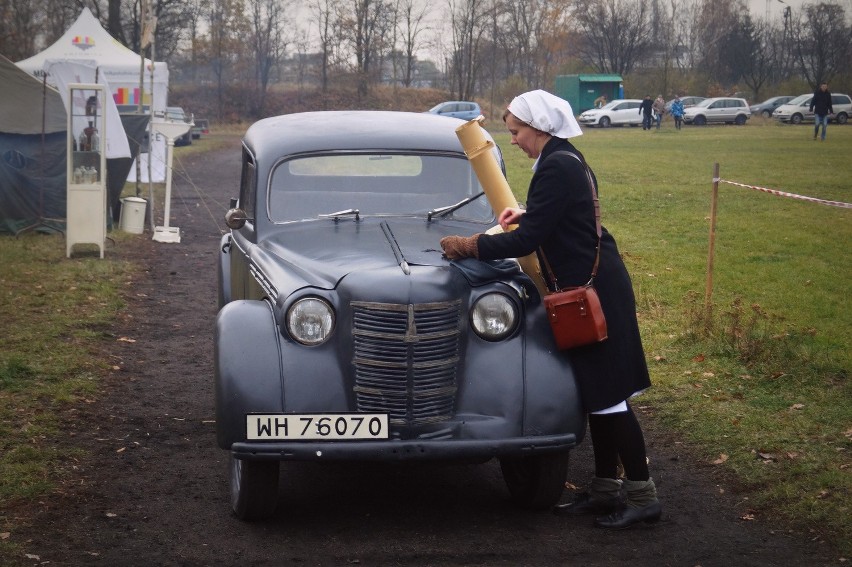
[408, 450]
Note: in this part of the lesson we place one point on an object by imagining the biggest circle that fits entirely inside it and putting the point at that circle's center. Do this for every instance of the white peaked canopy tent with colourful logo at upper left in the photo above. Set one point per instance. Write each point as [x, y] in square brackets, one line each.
[88, 44]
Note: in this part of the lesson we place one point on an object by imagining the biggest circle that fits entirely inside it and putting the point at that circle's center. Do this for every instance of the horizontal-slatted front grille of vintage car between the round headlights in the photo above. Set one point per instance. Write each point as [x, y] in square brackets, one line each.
[405, 360]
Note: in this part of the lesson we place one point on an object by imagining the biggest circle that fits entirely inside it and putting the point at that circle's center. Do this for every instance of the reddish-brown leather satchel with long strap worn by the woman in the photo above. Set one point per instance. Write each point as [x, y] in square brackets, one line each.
[575, 313]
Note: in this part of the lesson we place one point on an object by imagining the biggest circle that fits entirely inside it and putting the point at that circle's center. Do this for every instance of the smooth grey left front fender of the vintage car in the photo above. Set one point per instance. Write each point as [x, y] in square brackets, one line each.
[247, 355]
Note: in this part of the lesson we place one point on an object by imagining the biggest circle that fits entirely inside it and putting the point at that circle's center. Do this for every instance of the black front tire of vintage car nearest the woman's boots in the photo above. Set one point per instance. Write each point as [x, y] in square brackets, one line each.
[537, 482]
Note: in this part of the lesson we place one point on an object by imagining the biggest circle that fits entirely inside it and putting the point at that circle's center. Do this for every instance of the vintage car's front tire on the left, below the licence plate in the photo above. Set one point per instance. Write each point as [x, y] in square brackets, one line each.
[254, 488]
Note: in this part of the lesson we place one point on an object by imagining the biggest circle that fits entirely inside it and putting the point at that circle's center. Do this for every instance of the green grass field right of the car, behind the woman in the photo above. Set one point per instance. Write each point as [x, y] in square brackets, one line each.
[760, 387]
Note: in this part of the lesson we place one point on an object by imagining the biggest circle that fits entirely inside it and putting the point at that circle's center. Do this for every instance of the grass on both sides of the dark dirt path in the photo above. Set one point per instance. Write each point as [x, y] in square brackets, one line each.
[761, 387]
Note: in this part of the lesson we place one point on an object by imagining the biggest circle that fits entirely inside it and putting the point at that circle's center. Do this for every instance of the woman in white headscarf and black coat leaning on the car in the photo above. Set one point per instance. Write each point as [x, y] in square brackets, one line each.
[560, 222]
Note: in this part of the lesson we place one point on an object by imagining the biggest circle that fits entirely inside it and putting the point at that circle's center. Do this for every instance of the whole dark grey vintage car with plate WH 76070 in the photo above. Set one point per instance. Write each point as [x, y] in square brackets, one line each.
[344, 334]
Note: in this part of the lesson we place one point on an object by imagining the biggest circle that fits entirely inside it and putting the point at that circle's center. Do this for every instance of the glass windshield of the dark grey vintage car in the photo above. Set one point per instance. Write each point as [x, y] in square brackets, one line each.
[374, 184]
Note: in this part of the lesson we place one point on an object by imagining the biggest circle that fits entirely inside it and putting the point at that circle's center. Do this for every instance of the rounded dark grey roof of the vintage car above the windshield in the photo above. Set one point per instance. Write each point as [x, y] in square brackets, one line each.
[352, 130]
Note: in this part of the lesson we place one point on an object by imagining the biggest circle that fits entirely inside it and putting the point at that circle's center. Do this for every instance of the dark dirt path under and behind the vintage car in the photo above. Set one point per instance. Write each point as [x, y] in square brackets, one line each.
[154, 490]
